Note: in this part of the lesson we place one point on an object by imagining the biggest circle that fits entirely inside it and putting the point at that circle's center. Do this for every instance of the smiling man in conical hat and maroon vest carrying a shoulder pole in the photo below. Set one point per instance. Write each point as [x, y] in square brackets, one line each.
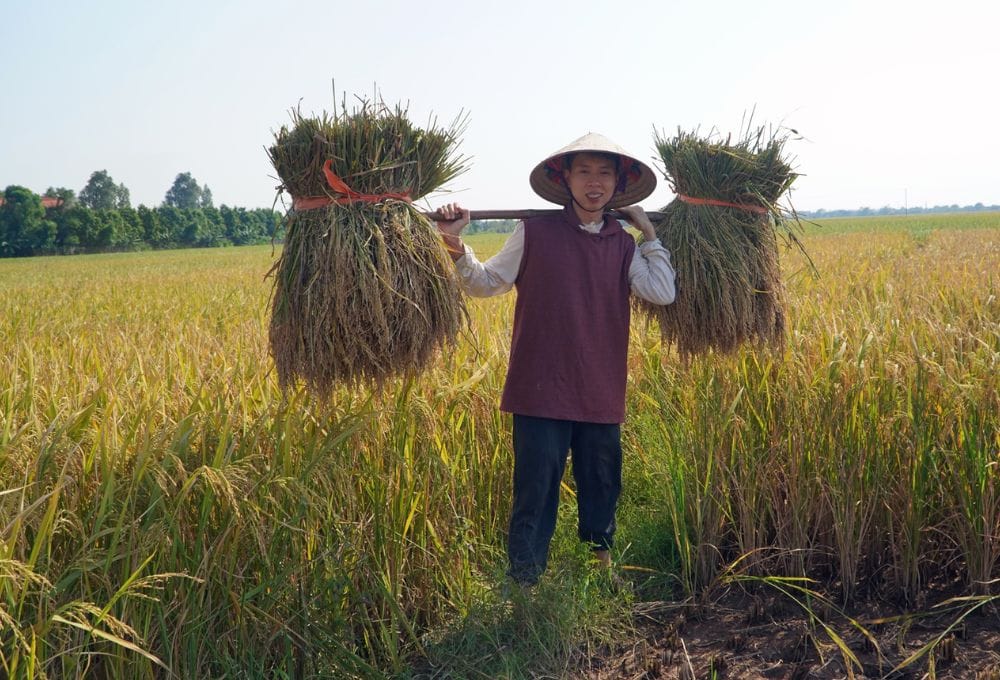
[566, 378]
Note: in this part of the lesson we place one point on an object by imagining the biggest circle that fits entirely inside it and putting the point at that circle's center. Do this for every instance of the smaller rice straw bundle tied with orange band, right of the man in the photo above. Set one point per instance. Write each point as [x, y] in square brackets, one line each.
[722, 232]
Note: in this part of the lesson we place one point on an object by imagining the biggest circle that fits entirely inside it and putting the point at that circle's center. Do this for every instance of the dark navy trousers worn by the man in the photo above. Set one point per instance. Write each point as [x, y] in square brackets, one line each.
[540, 449]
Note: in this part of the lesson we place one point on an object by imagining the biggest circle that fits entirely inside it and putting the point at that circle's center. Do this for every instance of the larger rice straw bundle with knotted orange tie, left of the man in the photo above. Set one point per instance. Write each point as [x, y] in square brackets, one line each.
[364, 289]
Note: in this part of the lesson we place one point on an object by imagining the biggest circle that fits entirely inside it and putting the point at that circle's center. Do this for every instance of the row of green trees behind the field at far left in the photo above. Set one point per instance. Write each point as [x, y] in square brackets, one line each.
[101, 219]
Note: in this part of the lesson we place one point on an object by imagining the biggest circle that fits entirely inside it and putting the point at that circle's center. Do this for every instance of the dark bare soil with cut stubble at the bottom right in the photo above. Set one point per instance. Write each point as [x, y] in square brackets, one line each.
[768, 636]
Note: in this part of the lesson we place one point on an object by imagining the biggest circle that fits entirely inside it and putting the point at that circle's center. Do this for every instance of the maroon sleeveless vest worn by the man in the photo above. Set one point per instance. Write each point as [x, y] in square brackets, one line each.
[569, 347]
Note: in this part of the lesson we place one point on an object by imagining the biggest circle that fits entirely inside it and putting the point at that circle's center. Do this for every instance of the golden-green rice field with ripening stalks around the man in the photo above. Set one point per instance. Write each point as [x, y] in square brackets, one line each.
[165, 511]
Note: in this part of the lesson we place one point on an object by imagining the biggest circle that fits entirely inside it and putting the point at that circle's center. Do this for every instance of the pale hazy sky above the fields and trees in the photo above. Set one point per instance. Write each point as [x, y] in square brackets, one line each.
[896, 100]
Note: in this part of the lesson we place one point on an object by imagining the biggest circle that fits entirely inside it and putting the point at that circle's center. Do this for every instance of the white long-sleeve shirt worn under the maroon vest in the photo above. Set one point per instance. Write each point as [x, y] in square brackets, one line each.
[650, 275]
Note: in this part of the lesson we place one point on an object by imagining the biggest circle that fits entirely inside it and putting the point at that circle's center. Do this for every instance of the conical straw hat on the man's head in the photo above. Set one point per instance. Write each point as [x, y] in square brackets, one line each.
[636, 180]
